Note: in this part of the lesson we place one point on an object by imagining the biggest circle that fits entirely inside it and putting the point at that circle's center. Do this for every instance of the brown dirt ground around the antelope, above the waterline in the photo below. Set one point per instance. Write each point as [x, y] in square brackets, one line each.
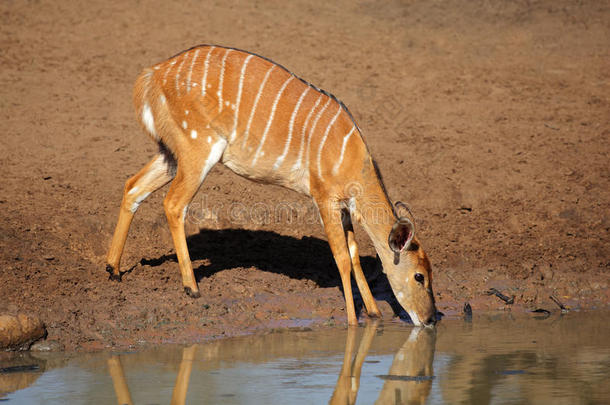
[491, 119]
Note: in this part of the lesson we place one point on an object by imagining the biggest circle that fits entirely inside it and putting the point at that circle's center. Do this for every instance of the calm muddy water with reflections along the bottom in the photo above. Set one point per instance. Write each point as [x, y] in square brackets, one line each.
[493, 358]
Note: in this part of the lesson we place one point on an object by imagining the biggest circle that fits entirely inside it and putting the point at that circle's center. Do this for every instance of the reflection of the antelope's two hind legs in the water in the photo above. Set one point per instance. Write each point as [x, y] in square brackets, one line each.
[180, 388]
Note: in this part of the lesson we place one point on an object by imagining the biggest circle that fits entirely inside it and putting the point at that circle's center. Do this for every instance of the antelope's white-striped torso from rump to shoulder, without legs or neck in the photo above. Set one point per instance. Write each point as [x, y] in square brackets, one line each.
[278, 128]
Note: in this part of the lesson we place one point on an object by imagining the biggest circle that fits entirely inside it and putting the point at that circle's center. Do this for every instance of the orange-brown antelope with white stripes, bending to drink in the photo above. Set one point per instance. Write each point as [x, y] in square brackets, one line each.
[213, 104]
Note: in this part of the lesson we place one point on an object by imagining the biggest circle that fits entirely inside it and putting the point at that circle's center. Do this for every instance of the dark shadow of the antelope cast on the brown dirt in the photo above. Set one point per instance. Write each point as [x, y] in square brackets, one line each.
[305, 258]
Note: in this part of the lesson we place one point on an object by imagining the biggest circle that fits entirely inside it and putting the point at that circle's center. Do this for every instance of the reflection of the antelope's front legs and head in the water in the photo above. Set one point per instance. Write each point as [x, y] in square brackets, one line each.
[409, 379]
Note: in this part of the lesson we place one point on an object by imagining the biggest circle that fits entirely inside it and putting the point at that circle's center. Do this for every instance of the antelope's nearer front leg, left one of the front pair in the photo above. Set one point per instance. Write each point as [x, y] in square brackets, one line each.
[331, 218]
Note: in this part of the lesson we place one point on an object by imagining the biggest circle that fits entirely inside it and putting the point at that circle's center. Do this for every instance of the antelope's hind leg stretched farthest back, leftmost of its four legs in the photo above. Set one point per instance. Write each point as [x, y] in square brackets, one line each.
[153, 176]
